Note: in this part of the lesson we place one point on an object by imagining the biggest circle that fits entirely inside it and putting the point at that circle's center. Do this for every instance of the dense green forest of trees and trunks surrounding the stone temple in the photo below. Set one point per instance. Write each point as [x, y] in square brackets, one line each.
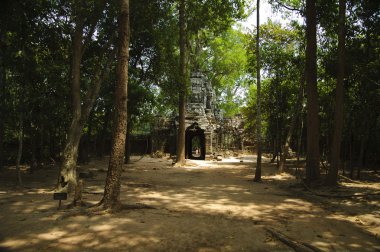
[61, 62]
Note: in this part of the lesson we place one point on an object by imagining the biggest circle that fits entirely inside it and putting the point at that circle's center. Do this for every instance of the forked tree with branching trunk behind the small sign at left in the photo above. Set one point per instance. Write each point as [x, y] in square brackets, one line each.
[81, 108]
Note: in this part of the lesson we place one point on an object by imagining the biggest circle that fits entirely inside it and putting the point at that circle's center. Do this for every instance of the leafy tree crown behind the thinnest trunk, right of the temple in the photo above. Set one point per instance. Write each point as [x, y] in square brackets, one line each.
[282, 65]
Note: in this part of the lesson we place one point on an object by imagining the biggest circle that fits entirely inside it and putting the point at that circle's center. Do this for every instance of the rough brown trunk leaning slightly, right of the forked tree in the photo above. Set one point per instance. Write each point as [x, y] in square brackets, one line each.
[111, 198]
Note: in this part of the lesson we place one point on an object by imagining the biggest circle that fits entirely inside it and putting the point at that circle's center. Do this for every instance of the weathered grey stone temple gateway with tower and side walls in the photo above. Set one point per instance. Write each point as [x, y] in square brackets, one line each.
[207, 132]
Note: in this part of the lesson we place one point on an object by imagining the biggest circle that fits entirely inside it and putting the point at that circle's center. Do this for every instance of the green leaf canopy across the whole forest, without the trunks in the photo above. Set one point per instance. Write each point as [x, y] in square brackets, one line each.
[35, 42]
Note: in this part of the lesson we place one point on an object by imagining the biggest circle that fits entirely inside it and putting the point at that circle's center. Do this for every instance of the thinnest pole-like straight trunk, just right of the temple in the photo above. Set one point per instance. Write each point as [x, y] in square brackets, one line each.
[259, 144]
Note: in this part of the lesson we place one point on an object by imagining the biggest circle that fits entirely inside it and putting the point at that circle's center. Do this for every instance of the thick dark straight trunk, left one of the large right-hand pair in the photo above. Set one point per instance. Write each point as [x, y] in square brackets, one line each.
[312, 156]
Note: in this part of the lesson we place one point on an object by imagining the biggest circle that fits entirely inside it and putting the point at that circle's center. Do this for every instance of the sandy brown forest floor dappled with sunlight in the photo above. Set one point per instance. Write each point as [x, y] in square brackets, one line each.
[204, 206]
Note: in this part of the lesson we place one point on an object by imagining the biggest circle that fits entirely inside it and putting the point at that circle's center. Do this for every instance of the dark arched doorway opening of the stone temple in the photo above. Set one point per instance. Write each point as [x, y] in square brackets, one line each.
[195, 147]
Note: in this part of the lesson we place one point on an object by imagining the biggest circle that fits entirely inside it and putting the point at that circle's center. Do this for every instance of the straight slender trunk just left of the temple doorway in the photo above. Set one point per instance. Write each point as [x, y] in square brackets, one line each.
[182, 83]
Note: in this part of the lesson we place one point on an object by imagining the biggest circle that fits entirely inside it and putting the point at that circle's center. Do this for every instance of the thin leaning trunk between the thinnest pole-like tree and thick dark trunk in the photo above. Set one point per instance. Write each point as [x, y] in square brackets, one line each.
[296, 114]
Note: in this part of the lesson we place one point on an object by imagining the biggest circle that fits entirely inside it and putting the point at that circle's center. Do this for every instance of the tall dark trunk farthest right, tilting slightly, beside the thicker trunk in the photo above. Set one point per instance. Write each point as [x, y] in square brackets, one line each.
[332, 177]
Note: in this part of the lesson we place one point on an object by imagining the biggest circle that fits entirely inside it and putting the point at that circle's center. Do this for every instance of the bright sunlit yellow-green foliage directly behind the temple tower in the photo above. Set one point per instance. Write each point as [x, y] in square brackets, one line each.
[223, 59]
